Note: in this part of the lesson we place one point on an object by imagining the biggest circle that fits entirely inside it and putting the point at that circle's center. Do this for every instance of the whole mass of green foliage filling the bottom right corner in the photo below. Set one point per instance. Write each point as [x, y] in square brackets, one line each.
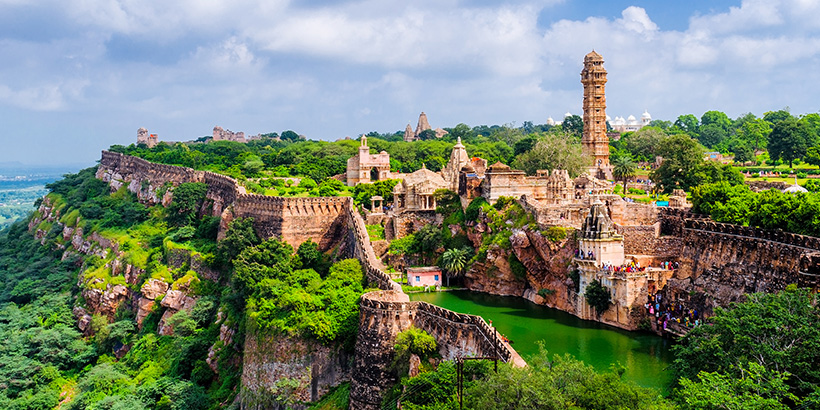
[764, 350]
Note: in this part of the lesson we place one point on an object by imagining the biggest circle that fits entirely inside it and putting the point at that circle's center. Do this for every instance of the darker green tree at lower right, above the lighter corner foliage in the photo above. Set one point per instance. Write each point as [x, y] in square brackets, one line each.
[774, 330]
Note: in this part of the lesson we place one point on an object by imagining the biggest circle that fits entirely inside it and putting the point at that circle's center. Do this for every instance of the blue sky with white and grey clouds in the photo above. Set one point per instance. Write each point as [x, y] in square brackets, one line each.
[80, 75]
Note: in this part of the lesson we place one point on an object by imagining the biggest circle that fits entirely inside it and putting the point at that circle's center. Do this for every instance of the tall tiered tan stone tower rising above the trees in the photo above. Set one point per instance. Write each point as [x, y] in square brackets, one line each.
[595, 141]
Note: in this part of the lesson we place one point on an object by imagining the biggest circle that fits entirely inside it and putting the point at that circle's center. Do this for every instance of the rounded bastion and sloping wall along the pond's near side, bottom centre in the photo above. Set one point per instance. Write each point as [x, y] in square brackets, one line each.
[384, 314]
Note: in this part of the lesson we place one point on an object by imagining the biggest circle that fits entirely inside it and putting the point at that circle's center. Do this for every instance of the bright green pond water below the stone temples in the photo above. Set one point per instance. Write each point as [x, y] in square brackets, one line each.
[645, 356]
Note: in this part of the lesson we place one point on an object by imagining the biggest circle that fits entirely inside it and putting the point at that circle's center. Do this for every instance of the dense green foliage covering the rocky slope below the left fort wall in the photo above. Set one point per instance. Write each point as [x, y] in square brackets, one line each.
[44, 359]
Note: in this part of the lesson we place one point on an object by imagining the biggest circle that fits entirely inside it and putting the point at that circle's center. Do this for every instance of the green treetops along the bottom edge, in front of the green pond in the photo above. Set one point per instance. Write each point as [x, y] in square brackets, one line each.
[557, 383]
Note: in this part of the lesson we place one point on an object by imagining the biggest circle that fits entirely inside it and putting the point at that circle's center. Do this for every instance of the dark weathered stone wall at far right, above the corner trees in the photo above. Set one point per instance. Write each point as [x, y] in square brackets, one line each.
[719, 263]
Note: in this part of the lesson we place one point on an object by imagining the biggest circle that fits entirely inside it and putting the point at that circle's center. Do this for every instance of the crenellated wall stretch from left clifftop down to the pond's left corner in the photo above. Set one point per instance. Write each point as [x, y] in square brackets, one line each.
[326, 220]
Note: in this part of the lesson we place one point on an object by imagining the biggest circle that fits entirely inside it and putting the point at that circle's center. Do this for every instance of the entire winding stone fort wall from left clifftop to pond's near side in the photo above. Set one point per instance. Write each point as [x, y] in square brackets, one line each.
[329, 221]
